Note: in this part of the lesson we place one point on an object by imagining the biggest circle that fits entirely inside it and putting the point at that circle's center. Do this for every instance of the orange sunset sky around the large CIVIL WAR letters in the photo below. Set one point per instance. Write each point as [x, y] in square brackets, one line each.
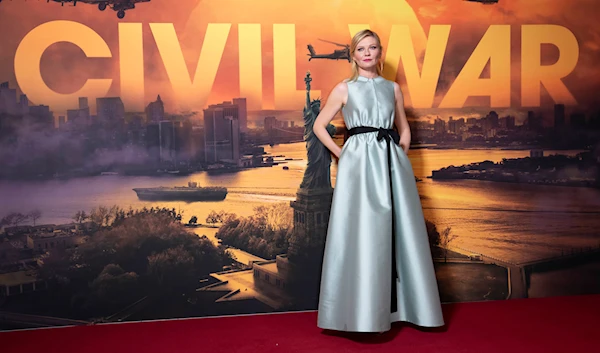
[65, 68]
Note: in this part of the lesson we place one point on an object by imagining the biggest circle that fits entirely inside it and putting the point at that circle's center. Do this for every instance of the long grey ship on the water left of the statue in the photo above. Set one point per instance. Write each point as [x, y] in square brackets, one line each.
[192, 192]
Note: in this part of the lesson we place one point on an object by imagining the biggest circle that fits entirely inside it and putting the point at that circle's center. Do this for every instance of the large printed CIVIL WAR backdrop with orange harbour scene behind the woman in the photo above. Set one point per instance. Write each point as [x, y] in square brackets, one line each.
[110, 108]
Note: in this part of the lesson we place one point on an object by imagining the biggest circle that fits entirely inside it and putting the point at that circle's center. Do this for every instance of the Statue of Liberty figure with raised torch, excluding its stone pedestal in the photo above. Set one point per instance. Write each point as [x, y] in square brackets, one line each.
[317, 173]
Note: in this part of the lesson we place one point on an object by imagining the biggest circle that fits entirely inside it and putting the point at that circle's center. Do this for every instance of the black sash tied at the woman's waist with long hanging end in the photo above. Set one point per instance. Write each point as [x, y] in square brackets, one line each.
[388, 135]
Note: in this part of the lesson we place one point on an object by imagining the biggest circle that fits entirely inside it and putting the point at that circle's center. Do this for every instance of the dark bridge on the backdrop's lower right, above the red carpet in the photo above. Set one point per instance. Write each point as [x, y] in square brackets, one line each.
[519, 274]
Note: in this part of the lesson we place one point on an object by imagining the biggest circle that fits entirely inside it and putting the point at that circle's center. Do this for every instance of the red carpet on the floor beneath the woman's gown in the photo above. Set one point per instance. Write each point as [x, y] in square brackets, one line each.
[559, 324]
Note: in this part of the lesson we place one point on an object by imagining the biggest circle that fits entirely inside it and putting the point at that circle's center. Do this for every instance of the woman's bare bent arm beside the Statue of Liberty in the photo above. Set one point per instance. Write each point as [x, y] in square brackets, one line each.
[332, 106]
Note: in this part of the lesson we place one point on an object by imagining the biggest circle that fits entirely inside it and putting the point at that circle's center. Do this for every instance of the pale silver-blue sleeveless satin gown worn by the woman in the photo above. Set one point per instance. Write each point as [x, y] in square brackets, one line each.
[356, 283]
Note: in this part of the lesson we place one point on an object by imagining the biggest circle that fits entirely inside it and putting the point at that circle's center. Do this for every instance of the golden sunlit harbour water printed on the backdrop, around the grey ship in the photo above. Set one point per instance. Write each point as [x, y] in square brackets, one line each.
[514, 222]
